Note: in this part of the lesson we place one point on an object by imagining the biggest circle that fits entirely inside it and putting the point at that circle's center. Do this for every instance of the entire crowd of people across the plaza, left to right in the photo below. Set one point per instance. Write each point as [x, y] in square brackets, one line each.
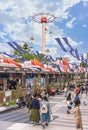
[40, 110]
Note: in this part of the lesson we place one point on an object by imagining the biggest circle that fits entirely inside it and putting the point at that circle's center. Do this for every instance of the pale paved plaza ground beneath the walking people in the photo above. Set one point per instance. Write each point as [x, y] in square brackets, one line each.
[19, 119]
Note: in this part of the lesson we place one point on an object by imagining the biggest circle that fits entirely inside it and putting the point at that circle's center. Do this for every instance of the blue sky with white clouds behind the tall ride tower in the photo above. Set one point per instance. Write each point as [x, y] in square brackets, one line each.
[71, 21]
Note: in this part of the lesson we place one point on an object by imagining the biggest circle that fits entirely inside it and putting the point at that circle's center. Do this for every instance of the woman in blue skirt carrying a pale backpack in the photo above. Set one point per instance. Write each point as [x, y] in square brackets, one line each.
[45, 112]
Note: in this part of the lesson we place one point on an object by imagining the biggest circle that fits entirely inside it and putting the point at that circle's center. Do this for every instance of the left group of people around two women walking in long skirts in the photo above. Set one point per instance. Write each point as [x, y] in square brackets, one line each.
[38, 106]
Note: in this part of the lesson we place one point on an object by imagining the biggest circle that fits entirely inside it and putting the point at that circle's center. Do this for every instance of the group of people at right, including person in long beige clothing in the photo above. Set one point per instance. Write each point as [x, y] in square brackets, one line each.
[80, 94]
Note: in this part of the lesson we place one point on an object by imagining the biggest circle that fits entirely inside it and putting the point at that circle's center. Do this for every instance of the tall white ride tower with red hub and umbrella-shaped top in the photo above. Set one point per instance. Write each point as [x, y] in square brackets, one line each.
[43, 18]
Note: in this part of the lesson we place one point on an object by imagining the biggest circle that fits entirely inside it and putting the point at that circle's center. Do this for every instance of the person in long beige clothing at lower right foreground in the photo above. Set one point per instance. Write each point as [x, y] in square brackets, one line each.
[77, 115]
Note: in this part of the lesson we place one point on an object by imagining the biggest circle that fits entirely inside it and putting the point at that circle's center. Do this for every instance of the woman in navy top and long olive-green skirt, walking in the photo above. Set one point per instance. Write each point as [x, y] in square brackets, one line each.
[35, 107]
